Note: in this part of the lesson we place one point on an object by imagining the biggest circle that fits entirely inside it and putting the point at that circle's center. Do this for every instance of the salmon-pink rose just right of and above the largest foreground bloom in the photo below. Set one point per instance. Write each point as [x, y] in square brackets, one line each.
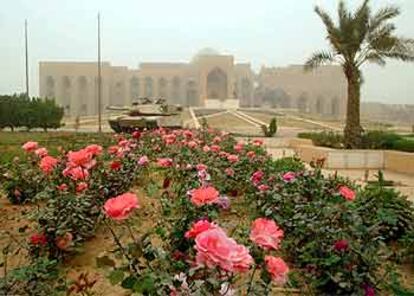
[266, 234]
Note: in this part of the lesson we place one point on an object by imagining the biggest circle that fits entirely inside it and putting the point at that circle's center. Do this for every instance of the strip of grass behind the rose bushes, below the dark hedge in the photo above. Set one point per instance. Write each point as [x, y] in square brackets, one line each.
[11, 142]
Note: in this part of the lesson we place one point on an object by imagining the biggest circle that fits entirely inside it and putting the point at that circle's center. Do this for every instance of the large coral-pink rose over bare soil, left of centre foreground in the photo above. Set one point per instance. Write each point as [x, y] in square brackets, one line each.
[119, 208]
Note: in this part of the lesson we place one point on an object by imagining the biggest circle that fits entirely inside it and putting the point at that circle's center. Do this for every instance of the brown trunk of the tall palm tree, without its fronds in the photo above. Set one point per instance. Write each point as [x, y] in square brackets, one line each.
[353, 130]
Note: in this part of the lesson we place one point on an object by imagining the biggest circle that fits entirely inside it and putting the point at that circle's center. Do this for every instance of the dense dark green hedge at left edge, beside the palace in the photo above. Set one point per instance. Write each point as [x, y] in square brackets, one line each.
[18, 111]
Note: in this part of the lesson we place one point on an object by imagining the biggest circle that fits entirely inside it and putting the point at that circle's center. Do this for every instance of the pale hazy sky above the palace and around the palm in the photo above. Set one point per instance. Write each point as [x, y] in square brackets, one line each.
[264, 32]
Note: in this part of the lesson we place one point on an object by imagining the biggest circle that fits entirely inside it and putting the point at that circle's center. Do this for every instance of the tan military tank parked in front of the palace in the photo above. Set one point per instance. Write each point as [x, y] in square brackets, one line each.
[146, 113]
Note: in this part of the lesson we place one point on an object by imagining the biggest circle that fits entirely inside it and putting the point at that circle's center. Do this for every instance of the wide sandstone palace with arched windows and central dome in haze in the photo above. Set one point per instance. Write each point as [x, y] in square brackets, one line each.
[210, 79]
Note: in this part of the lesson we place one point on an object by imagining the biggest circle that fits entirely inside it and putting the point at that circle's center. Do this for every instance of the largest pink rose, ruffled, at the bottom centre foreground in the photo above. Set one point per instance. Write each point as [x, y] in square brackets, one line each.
[216, 249]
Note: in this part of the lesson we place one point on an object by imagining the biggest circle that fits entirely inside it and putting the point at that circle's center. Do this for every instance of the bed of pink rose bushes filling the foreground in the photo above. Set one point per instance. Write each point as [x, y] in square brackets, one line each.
[229, 218]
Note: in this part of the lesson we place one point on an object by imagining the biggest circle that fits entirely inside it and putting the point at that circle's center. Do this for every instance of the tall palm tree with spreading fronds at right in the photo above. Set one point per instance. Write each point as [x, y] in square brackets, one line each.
[360, 37]
